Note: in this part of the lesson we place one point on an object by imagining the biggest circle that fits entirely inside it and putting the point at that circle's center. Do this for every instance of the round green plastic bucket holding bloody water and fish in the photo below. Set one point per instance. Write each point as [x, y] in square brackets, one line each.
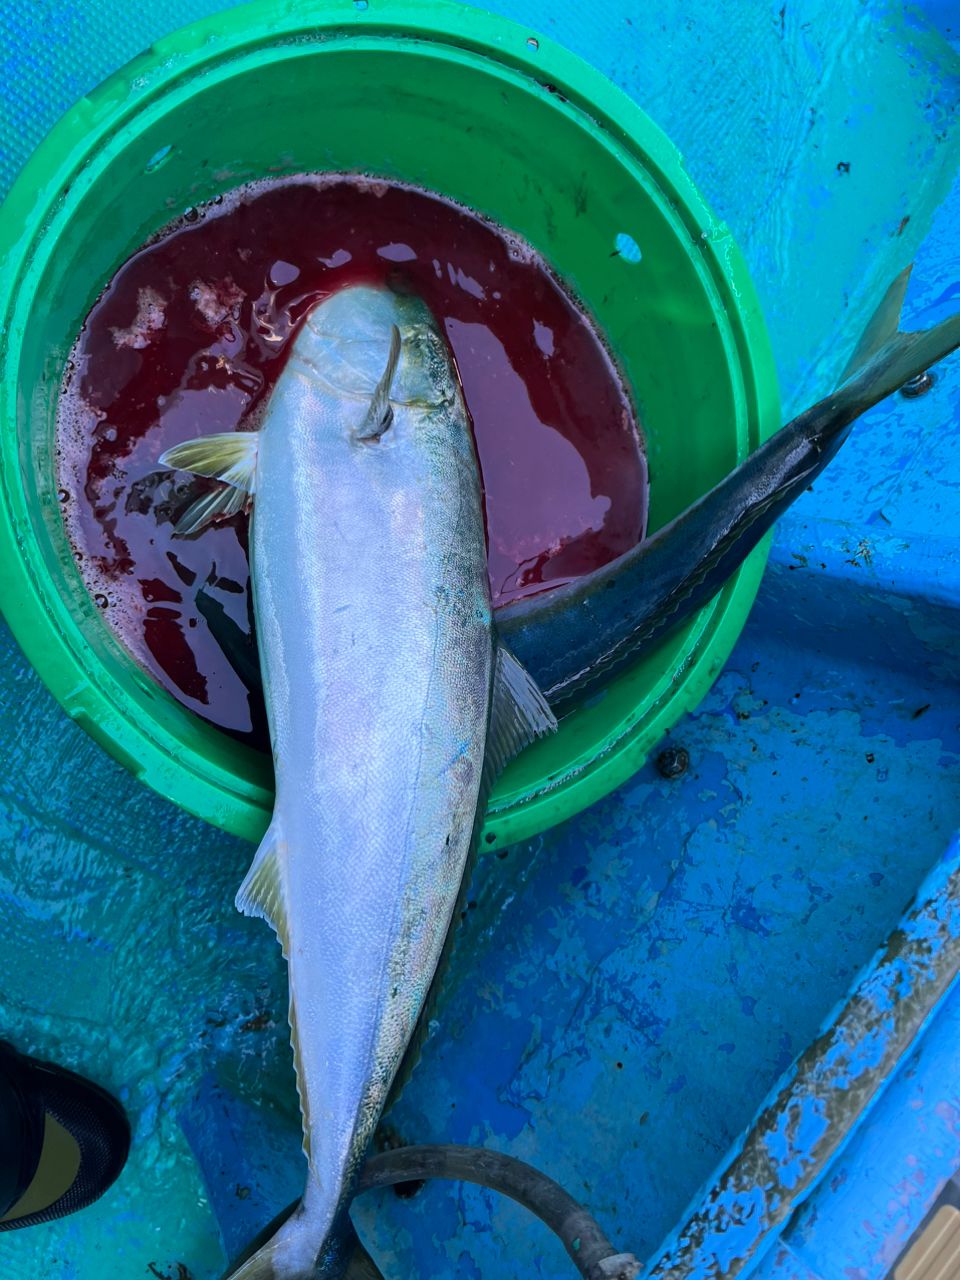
[458, 102]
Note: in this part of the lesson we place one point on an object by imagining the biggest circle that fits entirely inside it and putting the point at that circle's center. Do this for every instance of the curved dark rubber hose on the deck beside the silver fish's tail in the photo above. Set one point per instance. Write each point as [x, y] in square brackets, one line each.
[583, 1238]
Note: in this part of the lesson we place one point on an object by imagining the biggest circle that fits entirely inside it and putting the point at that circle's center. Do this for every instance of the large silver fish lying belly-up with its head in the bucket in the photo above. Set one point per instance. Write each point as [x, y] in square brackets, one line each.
[392, 708]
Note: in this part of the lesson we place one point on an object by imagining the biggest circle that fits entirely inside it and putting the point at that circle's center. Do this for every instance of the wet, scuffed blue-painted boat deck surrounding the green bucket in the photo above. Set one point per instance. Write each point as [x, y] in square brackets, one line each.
[630, 985]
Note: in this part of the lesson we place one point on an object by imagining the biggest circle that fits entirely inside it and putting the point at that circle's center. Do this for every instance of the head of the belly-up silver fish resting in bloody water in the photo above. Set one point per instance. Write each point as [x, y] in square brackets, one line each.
[349, 348]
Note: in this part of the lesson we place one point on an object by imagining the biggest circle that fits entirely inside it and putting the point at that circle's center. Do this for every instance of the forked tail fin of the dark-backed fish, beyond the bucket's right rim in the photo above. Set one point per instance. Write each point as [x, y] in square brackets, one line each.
[886, 359]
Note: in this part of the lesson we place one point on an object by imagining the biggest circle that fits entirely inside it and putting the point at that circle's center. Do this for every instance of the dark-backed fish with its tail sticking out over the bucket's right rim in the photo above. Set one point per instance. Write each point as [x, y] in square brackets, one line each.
[574, 639]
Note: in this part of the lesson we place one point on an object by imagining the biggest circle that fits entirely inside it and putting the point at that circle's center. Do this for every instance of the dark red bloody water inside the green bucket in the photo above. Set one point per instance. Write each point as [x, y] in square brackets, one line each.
[191, 336]
